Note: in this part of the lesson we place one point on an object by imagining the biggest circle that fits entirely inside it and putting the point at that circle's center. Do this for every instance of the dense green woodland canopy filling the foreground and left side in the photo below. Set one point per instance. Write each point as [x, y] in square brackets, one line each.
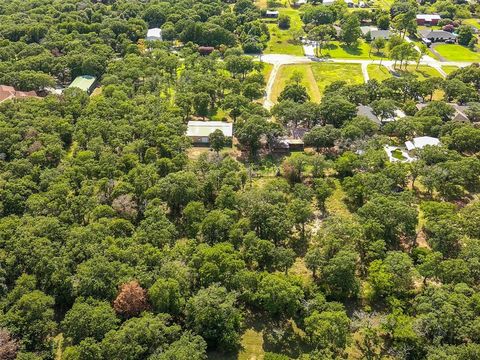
[120, 241]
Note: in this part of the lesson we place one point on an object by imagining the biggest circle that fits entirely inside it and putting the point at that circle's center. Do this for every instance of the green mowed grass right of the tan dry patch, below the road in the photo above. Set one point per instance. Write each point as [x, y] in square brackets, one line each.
[326, 73]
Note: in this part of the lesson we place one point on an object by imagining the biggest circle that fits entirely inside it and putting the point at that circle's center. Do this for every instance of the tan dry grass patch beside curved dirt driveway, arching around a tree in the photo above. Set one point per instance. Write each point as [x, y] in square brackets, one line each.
[285, 73]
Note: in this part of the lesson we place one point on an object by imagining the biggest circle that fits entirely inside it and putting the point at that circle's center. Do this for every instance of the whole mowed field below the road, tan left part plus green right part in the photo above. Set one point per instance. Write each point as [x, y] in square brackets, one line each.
[315, 77]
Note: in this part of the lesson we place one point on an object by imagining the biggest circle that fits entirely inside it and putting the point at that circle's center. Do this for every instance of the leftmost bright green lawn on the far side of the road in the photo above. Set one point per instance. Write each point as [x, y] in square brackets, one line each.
[281, 41]
